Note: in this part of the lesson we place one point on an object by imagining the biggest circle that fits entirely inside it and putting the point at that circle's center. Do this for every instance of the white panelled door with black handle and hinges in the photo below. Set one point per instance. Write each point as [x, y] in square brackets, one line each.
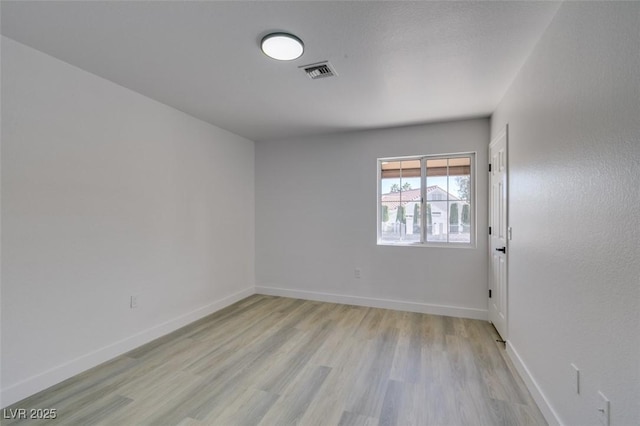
[498, 250]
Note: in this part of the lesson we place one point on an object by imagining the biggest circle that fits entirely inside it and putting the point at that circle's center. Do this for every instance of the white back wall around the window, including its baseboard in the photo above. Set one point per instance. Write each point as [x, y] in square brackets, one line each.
[316, 222]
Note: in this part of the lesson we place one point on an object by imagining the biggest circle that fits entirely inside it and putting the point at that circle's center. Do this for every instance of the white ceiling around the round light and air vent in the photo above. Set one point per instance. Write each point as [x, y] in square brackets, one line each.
[398, 63]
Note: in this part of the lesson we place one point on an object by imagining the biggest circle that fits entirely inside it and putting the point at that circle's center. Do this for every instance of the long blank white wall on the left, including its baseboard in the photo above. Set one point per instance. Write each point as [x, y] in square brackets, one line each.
[106, 194]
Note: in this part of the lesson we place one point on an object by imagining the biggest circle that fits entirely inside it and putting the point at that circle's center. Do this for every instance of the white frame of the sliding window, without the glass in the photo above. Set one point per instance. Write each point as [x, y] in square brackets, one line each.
[423, 204]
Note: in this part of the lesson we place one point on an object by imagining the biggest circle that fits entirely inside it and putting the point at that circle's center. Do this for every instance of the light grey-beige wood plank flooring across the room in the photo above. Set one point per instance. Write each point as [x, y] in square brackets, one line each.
[278, 361]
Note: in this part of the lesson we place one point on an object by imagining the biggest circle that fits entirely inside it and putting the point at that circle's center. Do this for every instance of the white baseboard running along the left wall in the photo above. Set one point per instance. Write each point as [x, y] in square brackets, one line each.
[69, 369]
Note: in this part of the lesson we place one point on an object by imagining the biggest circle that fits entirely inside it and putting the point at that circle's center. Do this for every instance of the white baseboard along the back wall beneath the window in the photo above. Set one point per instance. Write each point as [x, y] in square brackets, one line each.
[399, 305]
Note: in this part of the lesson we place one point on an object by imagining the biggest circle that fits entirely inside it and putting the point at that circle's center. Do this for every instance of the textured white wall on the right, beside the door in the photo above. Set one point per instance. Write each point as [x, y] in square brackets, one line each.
[574, 121]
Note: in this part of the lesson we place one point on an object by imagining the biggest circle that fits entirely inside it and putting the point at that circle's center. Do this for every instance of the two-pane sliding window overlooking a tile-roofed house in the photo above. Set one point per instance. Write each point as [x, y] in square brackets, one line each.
[426, 200]
